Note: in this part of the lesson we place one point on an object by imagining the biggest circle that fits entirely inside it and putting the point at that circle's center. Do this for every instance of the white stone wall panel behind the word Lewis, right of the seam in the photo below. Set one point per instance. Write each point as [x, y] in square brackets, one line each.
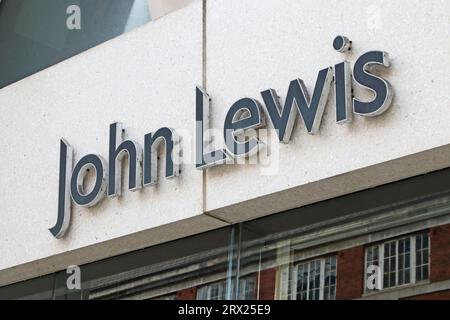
[256, 45]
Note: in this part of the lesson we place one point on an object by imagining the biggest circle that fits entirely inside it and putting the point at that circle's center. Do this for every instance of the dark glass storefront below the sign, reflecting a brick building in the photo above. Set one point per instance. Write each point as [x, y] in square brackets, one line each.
[294, 255]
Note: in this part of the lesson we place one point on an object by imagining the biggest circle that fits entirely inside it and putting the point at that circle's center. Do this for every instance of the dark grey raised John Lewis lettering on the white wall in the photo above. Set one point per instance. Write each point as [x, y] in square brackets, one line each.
[244, 115]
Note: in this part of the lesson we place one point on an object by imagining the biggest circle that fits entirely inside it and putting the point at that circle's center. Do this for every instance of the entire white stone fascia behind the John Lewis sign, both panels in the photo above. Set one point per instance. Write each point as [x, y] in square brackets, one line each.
[146, 79]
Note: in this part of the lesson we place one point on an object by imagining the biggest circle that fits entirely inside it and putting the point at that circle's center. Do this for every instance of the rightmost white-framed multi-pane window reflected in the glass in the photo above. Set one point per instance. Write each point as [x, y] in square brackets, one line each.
[412, 265]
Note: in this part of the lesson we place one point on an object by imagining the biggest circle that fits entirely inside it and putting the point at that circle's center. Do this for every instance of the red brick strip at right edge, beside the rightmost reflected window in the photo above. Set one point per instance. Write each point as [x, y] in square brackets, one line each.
[440, 253]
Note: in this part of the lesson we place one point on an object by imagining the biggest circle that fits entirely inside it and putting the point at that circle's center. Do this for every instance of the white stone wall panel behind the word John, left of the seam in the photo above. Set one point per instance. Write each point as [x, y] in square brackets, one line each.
[145, 79]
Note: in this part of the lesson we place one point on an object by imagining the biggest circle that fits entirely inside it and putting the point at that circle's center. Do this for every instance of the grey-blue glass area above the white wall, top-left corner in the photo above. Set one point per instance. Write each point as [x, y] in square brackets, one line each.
[34, 35]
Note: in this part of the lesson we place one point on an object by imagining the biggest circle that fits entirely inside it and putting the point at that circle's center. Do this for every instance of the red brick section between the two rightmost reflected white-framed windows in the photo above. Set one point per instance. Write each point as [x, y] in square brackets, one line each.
[350, 273]
